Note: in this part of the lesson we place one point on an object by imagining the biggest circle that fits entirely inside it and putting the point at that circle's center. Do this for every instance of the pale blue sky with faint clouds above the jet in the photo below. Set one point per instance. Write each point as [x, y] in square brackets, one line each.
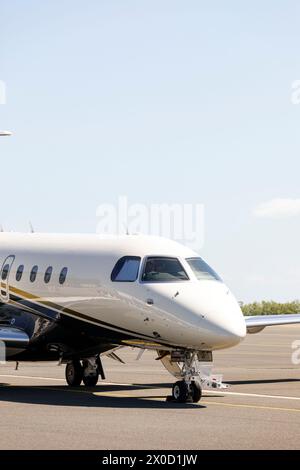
[162, 101]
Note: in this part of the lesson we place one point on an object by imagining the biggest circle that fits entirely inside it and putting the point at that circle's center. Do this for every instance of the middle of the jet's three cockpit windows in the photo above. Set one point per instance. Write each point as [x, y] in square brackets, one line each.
[163, 269]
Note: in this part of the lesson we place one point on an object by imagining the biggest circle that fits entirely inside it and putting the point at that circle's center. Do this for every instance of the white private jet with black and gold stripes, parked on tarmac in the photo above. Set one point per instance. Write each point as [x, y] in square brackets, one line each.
[74, 298]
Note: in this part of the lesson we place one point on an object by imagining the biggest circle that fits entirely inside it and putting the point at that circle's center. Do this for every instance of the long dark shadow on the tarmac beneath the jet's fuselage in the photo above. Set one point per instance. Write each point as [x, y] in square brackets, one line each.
[57, 395]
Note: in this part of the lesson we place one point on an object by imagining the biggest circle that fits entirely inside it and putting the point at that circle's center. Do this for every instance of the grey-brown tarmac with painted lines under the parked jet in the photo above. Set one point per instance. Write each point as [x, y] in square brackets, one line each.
[259, 410]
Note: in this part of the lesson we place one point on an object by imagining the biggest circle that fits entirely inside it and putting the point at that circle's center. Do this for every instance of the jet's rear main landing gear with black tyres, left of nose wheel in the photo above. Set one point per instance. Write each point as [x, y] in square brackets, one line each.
[86, 371]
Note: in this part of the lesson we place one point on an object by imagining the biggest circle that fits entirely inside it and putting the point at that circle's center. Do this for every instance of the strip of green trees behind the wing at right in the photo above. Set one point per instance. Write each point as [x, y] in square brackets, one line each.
[270, 308]
